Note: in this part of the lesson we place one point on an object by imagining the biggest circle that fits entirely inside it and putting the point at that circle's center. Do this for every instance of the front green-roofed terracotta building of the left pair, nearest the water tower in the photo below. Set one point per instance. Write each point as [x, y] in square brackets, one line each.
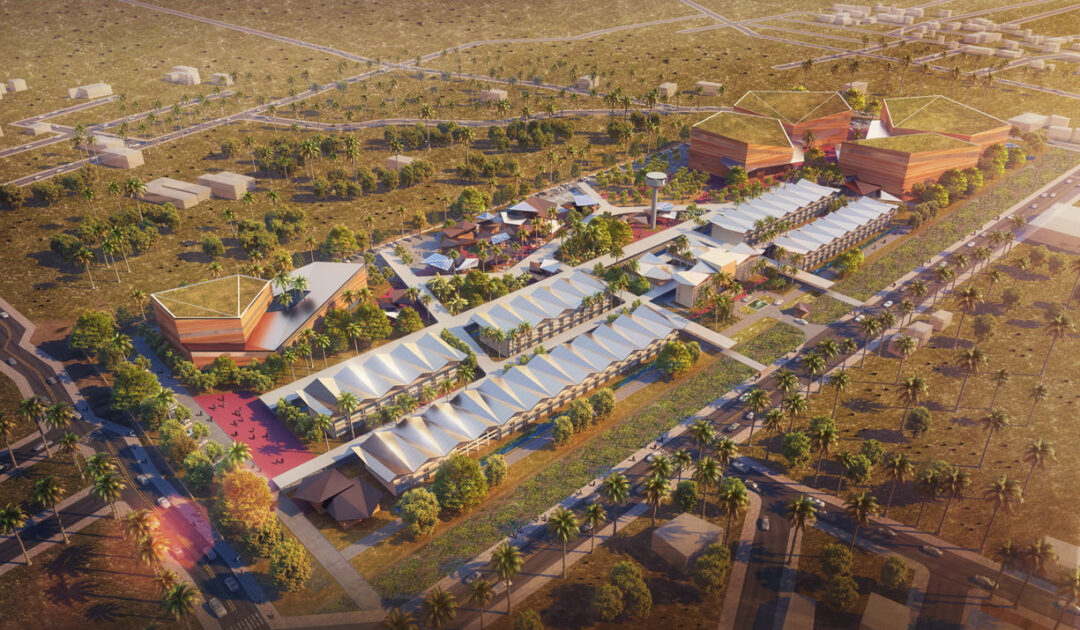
[727, 140]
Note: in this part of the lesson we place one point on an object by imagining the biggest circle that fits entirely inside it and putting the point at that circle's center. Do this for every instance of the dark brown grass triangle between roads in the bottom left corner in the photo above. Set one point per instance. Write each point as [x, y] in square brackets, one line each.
[90, 583]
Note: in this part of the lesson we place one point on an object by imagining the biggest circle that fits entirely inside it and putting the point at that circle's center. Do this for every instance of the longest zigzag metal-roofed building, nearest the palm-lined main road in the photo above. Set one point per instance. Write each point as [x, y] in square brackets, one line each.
[409, 452]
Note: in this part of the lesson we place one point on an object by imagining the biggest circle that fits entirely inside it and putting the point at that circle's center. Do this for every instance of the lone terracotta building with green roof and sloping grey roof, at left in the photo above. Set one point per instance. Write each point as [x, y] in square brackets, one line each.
[245, 317]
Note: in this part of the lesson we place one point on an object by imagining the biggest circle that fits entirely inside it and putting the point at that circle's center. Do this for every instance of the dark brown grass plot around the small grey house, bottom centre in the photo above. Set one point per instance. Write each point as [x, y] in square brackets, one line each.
[676, 600]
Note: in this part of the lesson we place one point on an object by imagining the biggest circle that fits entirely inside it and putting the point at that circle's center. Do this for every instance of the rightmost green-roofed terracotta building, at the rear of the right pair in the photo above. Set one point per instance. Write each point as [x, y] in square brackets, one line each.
[938, 114]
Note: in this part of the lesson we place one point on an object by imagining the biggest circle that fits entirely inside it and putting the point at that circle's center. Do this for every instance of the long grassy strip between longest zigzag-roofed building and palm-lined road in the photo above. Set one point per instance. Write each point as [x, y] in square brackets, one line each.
[400, 568]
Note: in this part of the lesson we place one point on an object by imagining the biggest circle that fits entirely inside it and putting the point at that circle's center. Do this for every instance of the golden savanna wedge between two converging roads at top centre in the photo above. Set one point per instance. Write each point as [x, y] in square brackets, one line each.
[390, 32]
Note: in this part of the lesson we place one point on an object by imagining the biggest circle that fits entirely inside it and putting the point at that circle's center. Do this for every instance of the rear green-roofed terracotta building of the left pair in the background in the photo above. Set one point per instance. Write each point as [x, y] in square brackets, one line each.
[827, 114]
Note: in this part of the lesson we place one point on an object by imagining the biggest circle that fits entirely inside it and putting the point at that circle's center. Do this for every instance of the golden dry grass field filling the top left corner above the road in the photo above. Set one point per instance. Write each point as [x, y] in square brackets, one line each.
[62, 46]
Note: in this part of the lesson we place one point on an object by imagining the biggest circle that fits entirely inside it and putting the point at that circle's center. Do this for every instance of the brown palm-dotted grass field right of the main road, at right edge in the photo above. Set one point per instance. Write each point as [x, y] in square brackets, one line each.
[871, 409]
